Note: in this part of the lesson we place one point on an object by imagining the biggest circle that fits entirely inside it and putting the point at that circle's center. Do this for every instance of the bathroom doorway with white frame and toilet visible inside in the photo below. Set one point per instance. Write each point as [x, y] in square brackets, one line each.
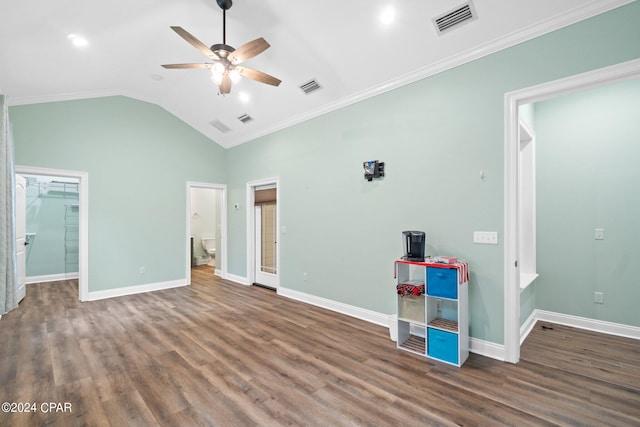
[206, 225]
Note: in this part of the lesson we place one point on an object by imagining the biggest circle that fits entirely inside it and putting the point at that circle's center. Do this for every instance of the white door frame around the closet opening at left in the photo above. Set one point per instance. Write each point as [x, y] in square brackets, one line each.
[83, 221]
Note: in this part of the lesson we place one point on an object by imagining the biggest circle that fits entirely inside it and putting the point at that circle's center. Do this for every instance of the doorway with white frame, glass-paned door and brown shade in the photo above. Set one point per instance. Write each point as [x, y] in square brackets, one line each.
[263, 221]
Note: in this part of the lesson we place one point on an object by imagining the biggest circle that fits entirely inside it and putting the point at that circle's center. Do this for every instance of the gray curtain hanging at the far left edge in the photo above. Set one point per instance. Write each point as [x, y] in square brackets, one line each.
[8, 262]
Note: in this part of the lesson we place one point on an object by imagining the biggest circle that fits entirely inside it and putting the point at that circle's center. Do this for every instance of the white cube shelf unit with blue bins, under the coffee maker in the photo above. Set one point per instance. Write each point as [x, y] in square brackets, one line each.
[436, 324]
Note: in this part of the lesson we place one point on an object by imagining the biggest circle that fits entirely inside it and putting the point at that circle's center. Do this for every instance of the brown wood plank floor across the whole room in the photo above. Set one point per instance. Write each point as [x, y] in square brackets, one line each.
[218, 353]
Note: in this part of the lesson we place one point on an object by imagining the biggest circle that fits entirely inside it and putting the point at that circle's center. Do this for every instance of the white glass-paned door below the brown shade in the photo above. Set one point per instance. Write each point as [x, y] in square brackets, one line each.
[266, 272]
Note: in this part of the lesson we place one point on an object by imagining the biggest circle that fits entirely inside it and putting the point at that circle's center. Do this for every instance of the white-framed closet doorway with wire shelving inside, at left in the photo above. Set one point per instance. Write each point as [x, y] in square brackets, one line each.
[56, 226]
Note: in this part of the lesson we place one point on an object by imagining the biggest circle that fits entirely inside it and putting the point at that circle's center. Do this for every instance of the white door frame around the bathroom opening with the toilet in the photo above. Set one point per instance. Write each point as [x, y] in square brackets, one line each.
[223, 228]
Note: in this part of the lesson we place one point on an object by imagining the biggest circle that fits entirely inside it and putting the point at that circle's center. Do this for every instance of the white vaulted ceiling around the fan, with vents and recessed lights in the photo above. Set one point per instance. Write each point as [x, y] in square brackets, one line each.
[341, 44]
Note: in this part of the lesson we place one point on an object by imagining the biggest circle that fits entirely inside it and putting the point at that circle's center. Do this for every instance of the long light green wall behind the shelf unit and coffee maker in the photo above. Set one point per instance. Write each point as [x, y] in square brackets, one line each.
[435, 136]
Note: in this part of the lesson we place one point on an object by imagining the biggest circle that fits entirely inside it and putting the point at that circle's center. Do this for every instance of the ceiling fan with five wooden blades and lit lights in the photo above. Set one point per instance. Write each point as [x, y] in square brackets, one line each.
[225, 67]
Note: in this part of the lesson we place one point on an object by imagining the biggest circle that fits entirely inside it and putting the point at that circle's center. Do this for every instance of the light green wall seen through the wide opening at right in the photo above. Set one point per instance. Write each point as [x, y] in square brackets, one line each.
[587, 175]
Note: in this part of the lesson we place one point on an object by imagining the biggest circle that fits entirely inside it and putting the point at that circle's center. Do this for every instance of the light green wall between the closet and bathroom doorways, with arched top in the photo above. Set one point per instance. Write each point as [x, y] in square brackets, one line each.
[139, 159]
